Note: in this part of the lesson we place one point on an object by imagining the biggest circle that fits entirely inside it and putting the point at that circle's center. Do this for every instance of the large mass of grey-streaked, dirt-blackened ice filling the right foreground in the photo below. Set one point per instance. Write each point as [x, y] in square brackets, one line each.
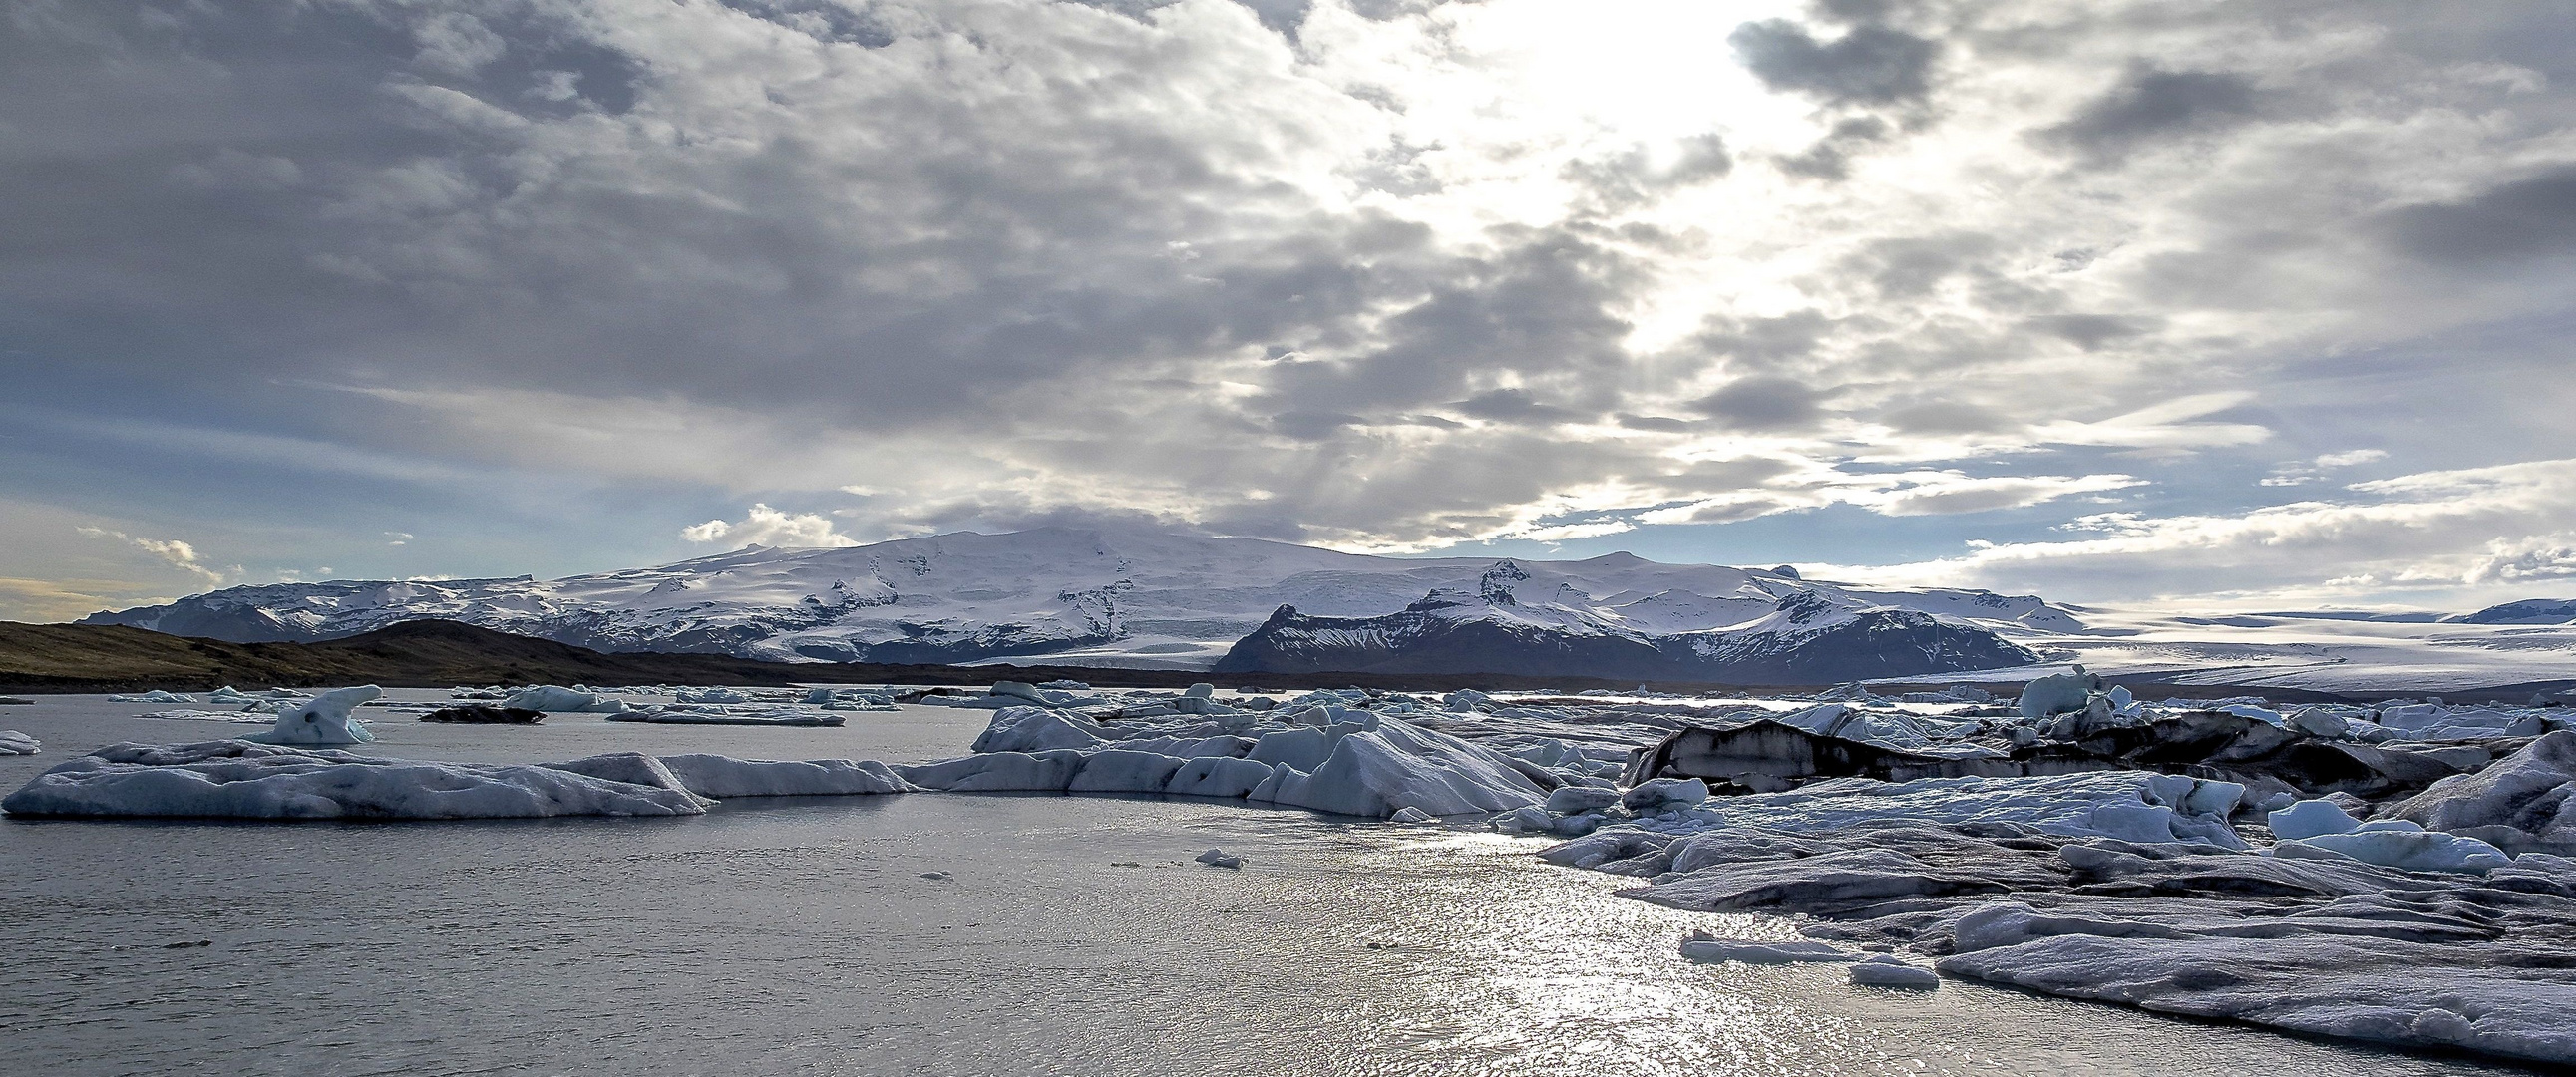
[2436, 916]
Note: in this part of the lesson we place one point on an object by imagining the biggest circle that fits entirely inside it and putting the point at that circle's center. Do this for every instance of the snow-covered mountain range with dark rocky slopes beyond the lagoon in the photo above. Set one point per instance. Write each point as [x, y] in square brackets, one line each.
[1173, 602]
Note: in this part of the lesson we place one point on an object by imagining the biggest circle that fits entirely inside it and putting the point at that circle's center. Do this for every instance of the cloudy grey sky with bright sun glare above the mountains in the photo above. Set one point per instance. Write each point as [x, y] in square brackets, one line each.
[2199, 305]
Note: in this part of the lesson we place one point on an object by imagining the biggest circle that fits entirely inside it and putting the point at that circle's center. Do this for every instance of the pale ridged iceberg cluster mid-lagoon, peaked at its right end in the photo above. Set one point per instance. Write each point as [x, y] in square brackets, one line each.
[1318, 756]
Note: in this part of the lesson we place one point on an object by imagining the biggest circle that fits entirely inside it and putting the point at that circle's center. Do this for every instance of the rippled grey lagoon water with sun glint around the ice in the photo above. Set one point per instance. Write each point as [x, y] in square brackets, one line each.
[1073, 937]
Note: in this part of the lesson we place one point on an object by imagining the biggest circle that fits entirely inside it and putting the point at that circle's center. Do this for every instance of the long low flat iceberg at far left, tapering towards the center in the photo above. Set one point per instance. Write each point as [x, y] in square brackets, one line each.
[236, 779]
